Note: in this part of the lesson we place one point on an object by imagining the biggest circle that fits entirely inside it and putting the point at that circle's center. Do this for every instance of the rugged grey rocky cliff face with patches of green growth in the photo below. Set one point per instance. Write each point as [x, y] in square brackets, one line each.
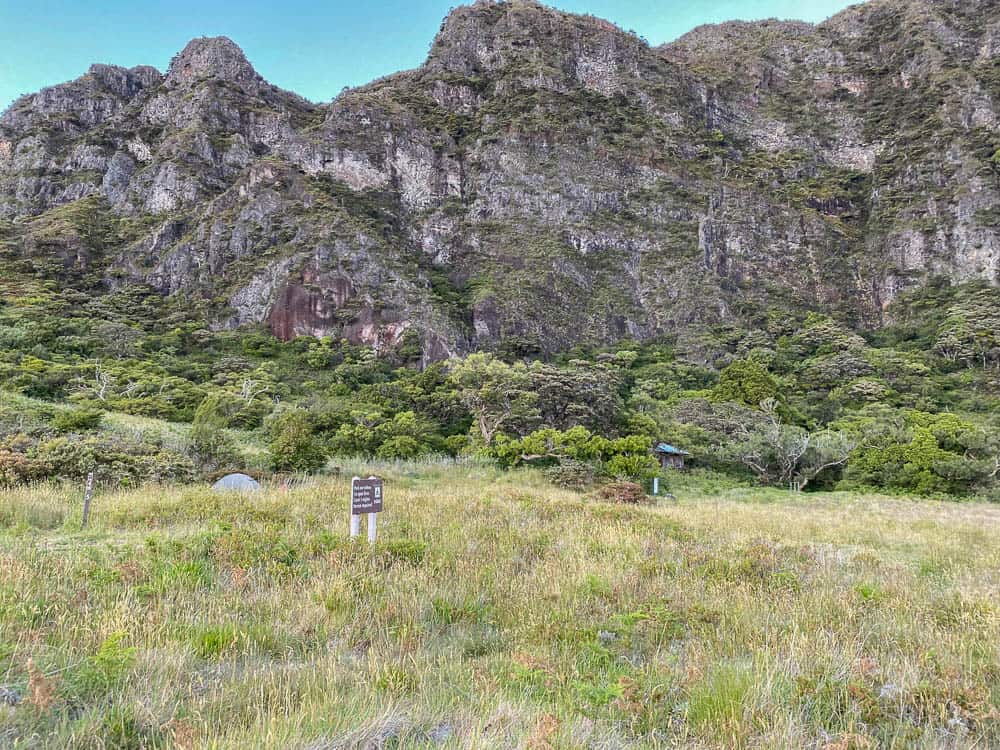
[545, 179]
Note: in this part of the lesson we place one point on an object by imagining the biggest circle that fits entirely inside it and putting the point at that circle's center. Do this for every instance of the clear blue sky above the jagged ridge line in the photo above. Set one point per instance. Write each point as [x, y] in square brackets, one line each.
[312, 47]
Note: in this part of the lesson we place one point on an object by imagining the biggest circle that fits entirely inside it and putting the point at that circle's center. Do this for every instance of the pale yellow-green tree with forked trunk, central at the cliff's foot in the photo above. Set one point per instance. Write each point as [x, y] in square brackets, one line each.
[496, 393]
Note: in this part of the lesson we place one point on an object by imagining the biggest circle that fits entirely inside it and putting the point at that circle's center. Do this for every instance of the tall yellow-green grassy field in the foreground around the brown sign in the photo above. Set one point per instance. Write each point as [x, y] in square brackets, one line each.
[497, 611]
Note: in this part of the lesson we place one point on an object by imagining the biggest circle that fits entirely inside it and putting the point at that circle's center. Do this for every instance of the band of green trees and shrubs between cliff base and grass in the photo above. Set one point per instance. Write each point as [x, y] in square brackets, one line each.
[121, 383]
